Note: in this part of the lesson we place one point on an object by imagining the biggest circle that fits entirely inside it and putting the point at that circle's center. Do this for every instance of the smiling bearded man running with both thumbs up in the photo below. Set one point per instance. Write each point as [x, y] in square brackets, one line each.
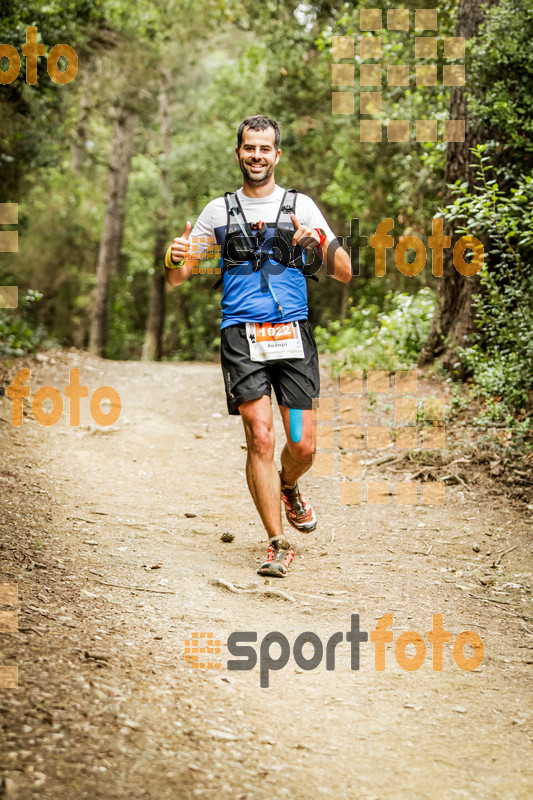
[266, 339]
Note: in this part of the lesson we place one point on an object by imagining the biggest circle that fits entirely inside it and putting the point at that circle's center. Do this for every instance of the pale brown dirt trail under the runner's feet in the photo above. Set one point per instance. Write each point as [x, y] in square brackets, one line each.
[107, 707]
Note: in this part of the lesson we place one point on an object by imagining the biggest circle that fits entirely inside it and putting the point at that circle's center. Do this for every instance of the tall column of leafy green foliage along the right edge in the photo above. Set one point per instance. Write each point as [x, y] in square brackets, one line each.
[499, 211]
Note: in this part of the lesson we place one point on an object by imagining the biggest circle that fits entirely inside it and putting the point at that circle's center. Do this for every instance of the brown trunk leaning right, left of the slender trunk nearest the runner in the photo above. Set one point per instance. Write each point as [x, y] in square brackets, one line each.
[113, 229]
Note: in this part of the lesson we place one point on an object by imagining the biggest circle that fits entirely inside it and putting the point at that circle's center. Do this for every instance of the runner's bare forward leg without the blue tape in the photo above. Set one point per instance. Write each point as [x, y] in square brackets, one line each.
[261, 473]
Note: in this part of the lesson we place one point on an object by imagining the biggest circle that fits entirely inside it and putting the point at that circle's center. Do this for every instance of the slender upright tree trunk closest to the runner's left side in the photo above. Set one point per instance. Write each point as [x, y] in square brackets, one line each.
[152, 348]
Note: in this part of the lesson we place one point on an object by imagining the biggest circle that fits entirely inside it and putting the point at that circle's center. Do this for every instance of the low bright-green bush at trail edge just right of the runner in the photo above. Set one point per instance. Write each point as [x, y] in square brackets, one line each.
[372, 339]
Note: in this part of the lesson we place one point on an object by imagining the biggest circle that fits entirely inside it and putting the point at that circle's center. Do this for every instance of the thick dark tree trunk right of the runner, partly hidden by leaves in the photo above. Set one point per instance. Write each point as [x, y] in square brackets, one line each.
[453, 318]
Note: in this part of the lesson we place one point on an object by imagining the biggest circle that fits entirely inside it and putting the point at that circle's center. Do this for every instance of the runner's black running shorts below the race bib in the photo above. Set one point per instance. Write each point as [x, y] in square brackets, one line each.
[296, 381]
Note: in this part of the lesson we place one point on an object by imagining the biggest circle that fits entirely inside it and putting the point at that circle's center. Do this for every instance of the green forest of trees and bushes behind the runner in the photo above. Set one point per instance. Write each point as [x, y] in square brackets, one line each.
[107, 169]
